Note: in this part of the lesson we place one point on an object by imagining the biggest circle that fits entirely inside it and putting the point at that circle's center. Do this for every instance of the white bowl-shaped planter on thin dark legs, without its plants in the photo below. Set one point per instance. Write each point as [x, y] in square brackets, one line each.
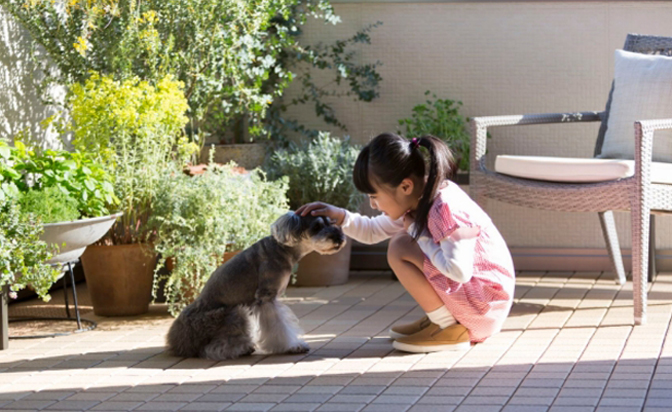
[77, 235]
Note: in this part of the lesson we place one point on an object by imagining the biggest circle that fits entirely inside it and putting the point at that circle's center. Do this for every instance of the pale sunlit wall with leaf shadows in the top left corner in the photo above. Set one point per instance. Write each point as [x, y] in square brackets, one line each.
[20, 105]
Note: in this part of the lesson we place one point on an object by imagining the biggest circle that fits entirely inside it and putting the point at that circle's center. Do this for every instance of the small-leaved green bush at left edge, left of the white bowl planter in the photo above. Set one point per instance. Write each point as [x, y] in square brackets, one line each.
[22, 253]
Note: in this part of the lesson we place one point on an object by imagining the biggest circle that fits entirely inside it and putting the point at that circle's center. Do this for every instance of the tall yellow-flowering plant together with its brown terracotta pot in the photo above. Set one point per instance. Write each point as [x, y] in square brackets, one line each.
[134, 129]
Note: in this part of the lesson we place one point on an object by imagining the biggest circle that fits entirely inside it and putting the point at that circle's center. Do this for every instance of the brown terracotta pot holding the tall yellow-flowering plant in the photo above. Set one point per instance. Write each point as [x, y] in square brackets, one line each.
[119, 278]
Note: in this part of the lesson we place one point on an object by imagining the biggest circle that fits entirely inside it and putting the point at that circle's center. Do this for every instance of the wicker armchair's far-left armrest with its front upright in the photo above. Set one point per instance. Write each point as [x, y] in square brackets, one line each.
[480, 125]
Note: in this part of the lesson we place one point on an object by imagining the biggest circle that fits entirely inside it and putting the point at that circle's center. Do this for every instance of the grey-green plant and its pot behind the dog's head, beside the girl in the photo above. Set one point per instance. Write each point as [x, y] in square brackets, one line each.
[320, 170]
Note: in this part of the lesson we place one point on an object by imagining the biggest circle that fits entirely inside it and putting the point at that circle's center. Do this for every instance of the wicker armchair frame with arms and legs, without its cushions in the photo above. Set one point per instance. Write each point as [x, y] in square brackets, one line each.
[635, 193]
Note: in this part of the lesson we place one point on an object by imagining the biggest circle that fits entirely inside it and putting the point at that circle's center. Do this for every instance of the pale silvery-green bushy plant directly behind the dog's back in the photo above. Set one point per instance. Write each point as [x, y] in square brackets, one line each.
[202, 220]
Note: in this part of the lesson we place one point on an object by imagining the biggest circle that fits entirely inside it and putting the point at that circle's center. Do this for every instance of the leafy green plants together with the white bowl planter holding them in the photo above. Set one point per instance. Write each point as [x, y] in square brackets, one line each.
[69, 192]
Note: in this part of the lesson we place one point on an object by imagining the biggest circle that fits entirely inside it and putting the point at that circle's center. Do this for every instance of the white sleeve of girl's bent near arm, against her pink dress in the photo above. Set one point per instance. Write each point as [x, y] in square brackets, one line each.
[454, 259]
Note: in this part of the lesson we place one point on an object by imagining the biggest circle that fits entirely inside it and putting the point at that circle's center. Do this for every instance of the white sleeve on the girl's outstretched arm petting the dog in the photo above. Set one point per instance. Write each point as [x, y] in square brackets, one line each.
[370, 230]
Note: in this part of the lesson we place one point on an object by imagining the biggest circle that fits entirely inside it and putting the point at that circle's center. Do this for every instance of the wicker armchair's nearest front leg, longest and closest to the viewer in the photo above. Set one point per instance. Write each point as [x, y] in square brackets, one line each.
[640, 216]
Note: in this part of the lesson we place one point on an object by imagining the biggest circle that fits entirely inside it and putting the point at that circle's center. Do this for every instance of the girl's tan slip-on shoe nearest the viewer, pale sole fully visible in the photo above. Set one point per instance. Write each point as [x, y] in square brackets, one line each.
[434, 339]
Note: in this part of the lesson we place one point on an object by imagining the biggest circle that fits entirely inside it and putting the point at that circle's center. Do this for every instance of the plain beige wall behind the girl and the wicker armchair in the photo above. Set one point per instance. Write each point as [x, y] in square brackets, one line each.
[501, 58]
